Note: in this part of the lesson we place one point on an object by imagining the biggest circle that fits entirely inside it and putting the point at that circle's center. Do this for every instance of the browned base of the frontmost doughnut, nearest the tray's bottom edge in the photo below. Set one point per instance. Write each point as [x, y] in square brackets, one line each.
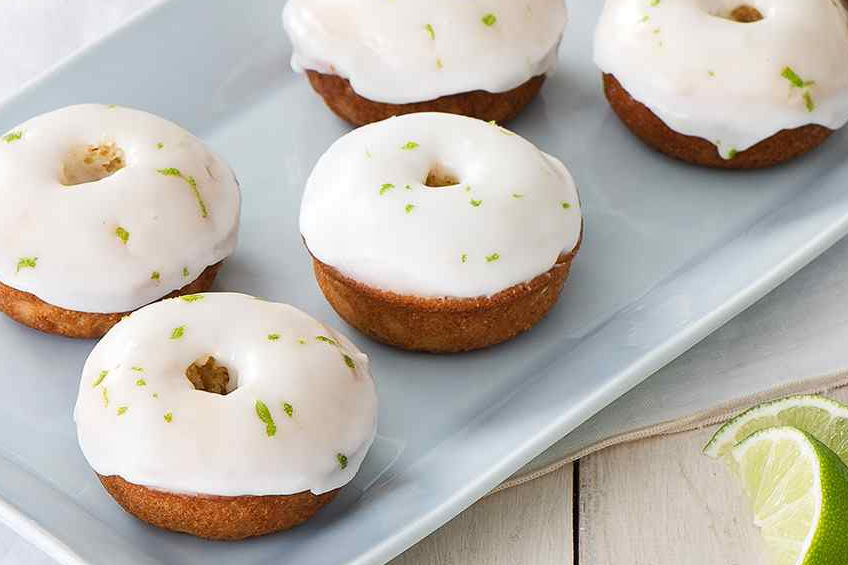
[228, 518]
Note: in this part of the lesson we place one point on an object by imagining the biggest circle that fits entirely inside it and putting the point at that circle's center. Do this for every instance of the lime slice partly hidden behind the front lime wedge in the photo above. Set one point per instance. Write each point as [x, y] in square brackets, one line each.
[824, 419]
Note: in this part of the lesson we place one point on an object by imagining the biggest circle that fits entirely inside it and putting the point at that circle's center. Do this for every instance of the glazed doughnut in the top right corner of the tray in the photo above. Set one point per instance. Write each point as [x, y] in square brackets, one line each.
[724, 83]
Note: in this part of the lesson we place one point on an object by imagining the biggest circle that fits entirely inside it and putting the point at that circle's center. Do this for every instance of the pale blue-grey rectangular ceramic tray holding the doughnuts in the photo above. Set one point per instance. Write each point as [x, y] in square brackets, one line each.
[670, 253]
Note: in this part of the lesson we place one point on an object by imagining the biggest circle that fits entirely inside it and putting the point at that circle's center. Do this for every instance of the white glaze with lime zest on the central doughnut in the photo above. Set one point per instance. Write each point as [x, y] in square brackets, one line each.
[348, 224]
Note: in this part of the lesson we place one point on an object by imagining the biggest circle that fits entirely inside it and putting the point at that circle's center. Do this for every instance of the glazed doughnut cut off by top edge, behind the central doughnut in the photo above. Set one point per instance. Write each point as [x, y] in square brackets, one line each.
[370, 61]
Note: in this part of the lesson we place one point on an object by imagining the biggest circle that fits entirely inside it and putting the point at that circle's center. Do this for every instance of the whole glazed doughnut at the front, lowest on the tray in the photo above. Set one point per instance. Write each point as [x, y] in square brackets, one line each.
[224, 416]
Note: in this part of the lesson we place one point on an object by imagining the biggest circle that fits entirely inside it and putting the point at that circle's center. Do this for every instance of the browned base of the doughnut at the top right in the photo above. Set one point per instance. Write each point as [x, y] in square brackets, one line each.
[647, 126]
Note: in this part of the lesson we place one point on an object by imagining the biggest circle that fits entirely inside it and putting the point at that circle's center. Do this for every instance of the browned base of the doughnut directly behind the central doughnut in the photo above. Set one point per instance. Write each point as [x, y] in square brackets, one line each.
[488, 106]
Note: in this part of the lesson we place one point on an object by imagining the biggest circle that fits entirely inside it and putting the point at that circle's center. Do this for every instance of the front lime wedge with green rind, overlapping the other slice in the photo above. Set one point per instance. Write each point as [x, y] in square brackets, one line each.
[799, 490]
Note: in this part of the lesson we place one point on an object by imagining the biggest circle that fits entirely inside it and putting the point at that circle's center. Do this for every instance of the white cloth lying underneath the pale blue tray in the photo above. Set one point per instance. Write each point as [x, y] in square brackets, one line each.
[799, 330]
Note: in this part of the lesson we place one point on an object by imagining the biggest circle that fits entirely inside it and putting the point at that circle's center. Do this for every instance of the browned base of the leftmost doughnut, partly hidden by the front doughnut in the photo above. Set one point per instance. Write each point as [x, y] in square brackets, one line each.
[31, 311]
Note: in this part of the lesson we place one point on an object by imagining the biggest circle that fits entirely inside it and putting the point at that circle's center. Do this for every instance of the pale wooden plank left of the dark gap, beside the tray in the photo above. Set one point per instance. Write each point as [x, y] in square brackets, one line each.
[529, 524]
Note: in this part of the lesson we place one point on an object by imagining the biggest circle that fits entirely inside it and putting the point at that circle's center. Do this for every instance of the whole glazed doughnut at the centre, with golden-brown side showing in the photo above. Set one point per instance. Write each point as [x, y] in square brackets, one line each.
[440, 233]
